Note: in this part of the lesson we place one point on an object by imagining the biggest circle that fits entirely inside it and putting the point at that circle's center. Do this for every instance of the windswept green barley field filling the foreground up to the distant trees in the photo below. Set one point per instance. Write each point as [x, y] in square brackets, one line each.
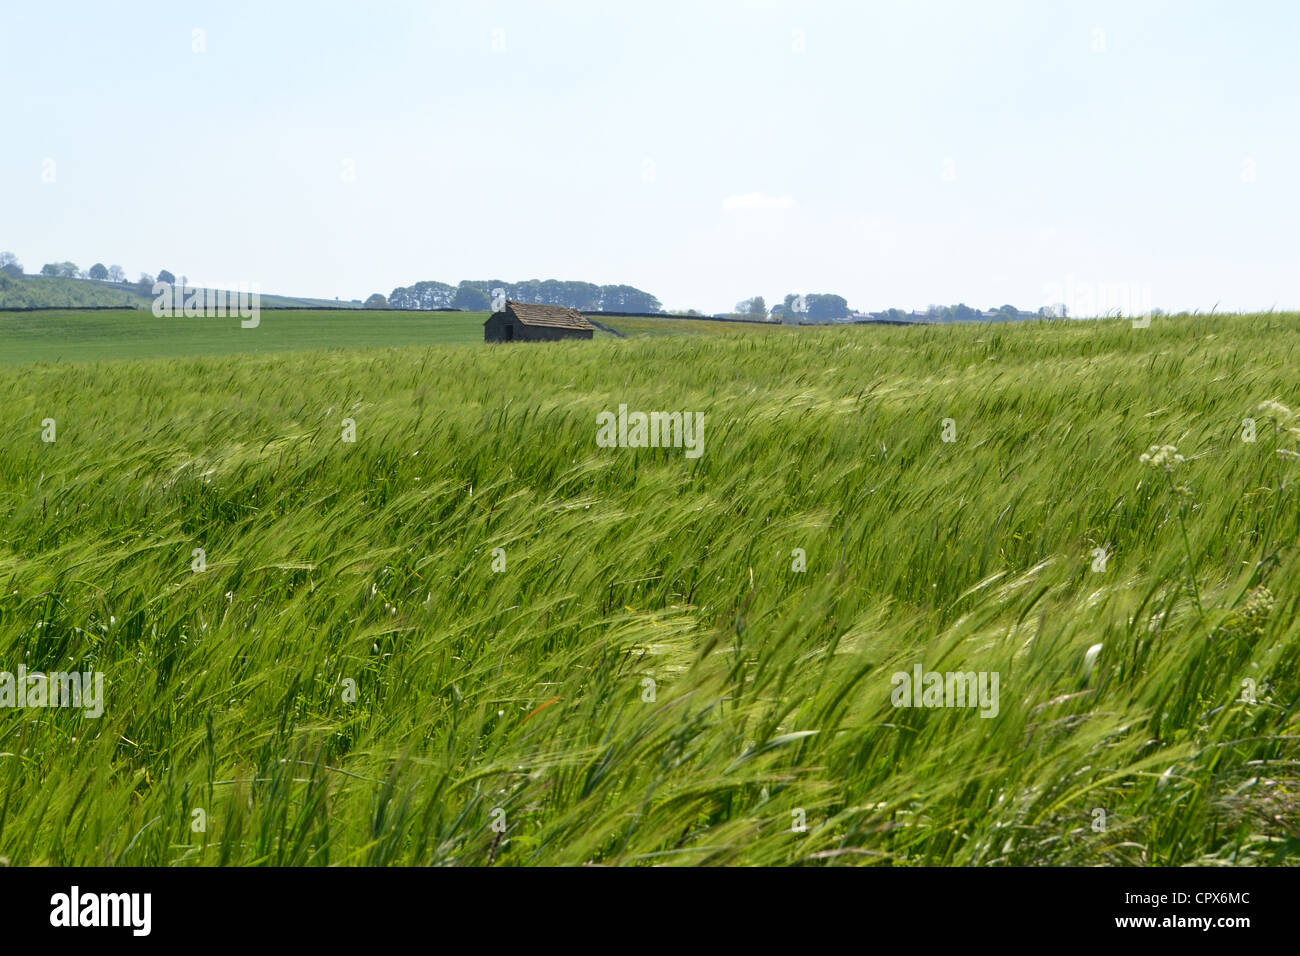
[475, 637]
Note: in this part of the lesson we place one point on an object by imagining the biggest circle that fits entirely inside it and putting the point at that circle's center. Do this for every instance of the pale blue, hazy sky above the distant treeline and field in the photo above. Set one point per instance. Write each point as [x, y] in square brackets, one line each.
[913, 153]
